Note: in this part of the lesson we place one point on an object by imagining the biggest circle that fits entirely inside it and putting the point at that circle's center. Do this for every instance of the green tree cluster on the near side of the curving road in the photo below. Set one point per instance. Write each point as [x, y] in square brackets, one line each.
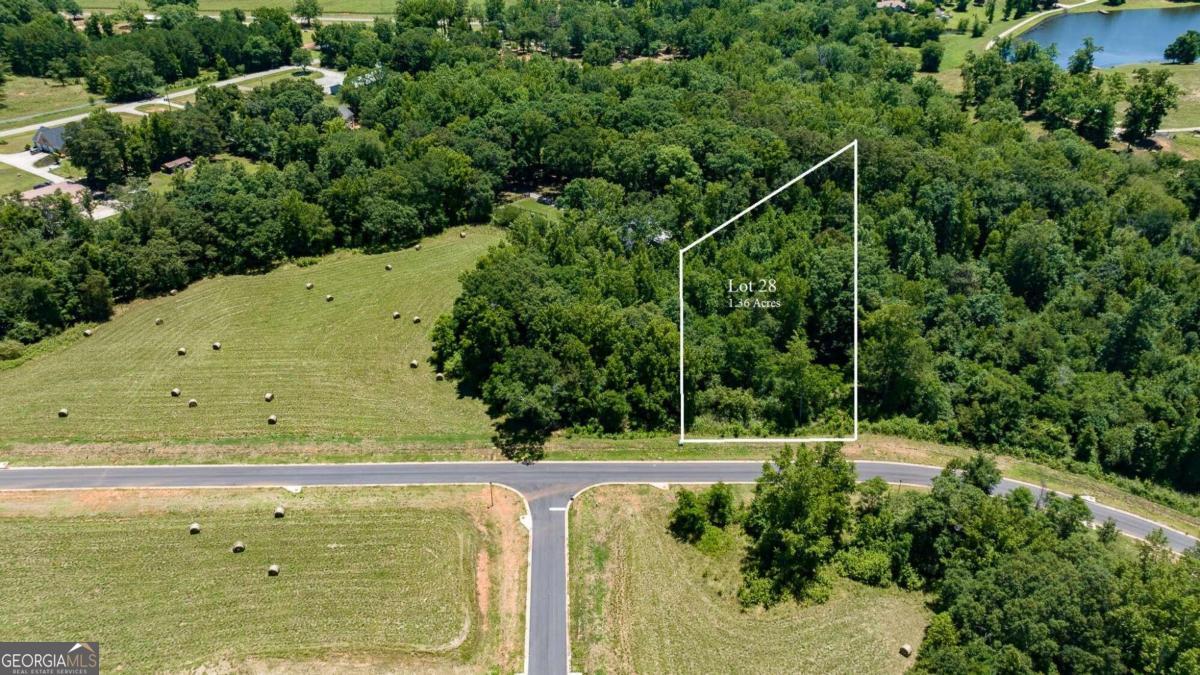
[1019, 583]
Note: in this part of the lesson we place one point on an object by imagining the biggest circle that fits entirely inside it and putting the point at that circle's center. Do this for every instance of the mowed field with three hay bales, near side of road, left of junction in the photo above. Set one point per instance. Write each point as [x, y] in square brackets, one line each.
[411, 580]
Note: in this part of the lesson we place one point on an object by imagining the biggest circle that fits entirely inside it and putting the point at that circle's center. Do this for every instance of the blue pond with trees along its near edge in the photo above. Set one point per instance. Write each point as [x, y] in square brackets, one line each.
[1132, 37]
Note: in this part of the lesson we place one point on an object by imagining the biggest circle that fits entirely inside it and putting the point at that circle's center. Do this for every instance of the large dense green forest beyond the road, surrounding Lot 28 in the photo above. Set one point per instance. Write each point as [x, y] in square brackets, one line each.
[1035, 292]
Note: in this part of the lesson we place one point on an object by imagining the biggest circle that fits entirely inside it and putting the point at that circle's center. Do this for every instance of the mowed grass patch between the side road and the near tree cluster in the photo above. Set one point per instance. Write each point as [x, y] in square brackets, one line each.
[643, 602]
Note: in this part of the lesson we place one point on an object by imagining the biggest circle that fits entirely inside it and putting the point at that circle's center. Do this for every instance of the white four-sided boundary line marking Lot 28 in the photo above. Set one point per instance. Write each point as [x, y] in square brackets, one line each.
[853, 147]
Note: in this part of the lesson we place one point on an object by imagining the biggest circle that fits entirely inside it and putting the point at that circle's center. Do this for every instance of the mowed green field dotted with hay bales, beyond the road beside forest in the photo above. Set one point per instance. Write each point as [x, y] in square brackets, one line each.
[338, 369]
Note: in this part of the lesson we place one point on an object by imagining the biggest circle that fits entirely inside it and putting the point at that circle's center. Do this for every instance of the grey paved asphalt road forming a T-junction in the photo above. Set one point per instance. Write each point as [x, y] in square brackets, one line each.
[549, 489]
